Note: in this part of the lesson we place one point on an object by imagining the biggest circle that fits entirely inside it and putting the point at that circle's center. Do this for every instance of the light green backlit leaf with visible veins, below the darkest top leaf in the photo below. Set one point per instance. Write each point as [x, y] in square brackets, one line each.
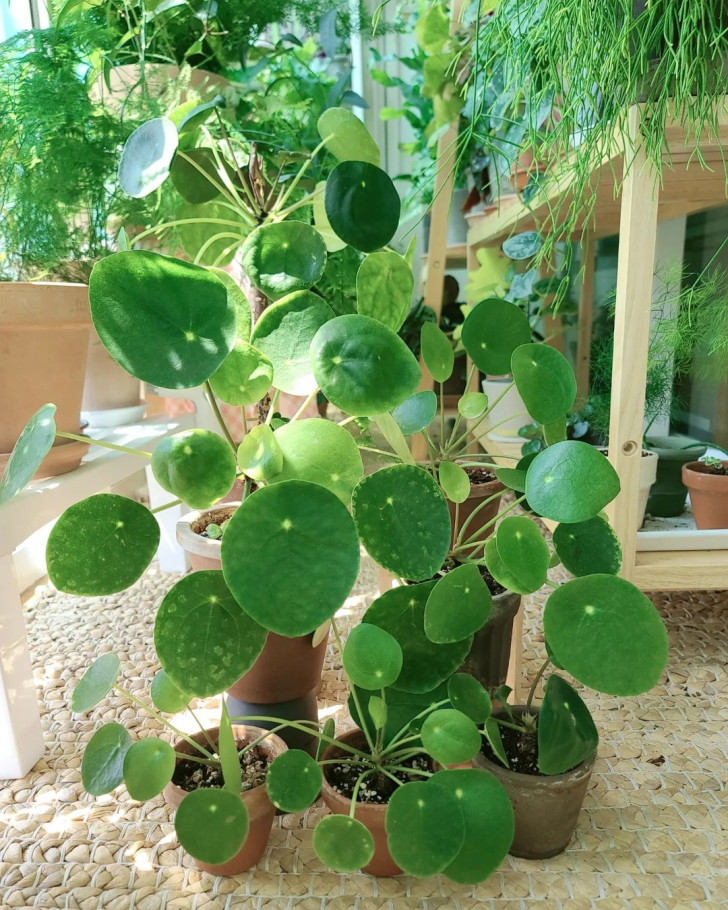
[384, 285]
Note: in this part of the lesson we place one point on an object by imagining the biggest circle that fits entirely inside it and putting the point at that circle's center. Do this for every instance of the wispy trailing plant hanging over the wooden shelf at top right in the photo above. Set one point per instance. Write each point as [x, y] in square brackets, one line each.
[594, 62]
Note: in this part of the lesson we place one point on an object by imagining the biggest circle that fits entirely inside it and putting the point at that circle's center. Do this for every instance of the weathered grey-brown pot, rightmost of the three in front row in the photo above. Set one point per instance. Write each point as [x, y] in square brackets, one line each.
[546, 807]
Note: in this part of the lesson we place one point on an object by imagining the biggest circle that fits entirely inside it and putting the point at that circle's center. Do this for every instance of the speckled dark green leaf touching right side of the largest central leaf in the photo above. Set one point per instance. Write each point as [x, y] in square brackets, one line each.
[403, 520]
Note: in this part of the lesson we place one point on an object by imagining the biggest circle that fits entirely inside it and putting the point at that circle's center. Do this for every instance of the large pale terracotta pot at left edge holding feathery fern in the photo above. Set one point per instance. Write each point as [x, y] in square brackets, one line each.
[44, 337]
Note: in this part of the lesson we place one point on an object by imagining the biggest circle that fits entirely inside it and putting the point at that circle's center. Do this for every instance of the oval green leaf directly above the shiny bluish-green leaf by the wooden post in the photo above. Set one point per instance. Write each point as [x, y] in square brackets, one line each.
[545, 380]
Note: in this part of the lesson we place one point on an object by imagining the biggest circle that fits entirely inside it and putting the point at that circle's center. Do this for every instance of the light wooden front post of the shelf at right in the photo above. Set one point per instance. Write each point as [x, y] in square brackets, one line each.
[637, 236]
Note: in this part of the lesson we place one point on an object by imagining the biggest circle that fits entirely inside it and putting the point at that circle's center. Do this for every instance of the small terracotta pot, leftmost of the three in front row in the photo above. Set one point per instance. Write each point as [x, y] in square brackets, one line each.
[261, 811]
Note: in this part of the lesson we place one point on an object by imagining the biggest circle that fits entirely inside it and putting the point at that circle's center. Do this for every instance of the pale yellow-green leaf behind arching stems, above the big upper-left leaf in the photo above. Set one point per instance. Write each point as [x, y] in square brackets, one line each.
[203, 238]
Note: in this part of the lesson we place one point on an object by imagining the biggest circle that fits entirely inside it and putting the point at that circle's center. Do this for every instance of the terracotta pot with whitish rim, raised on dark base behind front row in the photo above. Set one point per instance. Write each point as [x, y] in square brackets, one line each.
[288, 668]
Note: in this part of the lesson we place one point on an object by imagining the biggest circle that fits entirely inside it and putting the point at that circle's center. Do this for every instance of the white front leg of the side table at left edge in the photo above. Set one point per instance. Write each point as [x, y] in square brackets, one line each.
[21, 736]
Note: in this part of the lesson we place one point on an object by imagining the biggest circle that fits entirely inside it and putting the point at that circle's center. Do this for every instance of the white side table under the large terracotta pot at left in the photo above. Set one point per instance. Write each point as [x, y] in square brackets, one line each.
[21, 738]
